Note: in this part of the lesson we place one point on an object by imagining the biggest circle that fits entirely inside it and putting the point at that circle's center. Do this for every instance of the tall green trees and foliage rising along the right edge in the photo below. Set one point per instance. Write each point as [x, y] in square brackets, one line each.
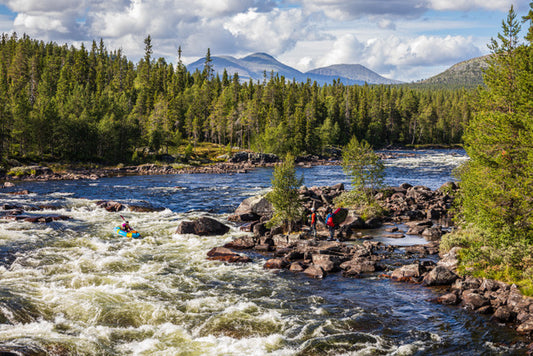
[496, 196]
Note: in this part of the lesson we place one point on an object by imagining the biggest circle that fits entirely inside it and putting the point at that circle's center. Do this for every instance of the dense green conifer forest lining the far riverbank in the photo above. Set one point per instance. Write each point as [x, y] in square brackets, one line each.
[67, 103]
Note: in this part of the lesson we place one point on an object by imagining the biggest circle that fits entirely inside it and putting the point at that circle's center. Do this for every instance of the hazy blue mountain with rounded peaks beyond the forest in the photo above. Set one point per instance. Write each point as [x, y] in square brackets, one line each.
[256, 65]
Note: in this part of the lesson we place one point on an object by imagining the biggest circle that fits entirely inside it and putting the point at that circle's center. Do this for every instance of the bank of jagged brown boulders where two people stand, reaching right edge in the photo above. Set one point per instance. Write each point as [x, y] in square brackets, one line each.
[413, 211]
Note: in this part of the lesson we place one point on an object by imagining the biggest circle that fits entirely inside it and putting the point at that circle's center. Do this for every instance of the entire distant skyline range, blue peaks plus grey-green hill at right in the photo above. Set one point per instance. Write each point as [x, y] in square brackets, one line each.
[466, 74]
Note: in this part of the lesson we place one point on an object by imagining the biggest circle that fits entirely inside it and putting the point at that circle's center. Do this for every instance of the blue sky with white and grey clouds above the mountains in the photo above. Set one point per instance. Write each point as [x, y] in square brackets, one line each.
[405, 40]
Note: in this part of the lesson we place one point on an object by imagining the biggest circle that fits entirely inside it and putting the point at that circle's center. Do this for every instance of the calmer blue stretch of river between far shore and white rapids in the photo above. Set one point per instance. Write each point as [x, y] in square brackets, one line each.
[222, 193]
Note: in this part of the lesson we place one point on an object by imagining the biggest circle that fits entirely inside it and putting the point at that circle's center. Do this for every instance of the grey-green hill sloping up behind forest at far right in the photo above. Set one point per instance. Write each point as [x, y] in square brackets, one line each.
[467, 74]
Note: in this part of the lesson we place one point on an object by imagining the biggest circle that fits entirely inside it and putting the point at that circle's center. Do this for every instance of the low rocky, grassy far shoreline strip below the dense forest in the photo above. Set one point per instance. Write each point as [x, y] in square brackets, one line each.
[210, 158]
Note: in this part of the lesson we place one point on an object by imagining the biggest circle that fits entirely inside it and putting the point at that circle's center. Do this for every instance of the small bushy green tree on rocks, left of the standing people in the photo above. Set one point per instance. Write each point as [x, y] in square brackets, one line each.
[284, 195]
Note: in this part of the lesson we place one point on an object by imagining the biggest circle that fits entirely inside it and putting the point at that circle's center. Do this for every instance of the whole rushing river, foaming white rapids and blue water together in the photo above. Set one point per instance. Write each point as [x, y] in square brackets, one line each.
[74, 288]
